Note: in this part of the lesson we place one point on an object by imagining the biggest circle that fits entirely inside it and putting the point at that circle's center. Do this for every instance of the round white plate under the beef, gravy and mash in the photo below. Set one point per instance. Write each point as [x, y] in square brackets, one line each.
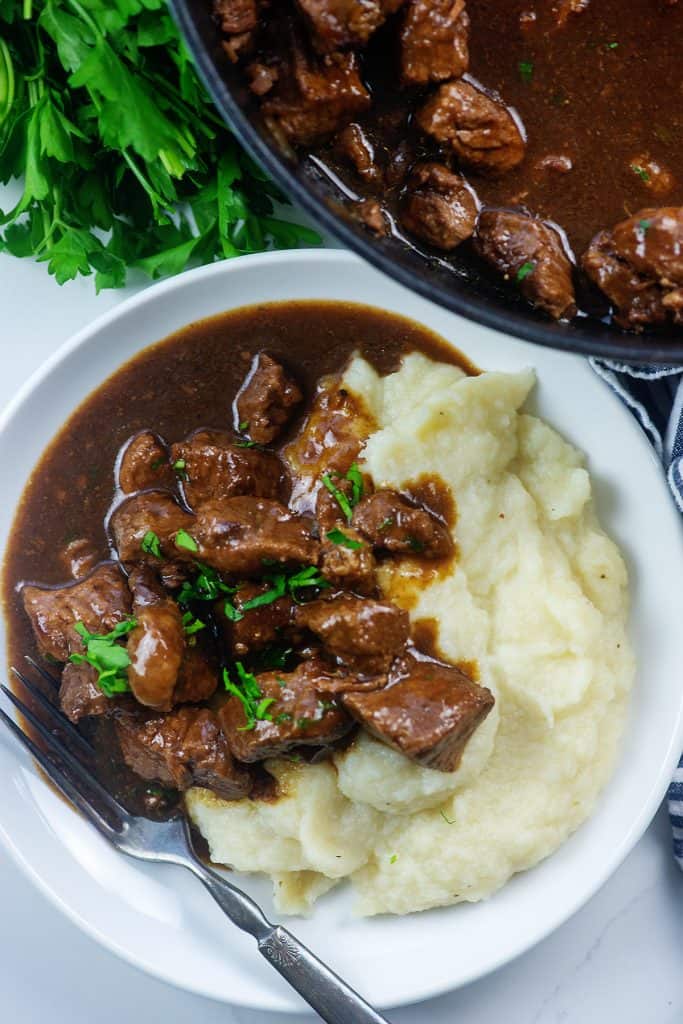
[160, 919]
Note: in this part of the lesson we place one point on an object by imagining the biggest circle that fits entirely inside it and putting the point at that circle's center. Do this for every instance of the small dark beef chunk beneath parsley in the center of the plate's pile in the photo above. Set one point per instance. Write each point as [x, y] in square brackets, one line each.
[255, 629]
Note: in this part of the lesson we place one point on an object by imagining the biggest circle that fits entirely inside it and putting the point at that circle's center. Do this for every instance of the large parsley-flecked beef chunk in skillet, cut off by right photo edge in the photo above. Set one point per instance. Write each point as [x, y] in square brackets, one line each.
[639, 267]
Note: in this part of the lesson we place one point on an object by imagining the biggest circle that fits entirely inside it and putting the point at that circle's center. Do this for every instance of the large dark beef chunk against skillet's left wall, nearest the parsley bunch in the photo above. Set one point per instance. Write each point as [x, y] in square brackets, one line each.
[315, 96]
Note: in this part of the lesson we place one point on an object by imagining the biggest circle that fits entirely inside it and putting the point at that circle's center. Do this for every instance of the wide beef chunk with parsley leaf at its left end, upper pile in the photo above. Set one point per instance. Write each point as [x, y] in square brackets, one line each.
[241, 536]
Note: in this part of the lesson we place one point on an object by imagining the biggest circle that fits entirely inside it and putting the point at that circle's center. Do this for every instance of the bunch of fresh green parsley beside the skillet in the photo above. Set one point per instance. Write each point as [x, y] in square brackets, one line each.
[125, 163]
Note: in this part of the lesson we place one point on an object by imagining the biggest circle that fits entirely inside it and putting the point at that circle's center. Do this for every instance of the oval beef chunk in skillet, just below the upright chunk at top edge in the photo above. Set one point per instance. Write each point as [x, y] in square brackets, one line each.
[482, 132]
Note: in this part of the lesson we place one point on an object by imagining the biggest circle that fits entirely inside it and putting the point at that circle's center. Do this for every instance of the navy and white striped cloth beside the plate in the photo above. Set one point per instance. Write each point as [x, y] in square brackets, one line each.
[655, 396]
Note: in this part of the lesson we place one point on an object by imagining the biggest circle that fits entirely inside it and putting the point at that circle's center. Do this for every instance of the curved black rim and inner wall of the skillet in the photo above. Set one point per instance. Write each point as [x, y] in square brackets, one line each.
[465, 289]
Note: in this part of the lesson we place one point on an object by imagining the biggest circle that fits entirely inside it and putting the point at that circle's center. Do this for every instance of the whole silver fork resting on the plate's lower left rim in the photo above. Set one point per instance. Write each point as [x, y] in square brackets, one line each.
[64, 761]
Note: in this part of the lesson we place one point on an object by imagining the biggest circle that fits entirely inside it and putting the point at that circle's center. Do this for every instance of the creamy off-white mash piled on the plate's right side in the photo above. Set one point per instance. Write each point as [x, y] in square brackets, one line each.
[537, 598]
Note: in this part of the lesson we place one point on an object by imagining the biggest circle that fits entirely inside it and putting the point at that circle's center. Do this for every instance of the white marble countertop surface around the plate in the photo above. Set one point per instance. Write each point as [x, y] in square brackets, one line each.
[618, 960]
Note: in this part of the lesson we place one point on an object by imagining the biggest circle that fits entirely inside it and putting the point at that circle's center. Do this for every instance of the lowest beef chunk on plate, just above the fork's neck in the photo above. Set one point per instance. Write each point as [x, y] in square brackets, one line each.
[184, 749]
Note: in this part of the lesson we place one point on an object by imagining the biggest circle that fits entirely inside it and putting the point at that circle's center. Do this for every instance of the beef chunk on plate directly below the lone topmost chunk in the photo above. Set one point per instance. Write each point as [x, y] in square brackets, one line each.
[214, 466]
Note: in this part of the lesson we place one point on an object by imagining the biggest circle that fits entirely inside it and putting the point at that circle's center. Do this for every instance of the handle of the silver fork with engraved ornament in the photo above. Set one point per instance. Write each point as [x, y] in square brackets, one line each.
[331, 998]
